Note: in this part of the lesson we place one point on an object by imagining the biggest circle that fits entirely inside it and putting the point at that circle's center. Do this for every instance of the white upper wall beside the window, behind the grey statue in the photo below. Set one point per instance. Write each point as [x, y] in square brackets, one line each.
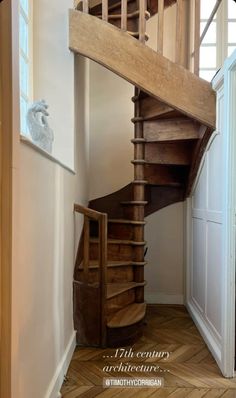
[51, 57]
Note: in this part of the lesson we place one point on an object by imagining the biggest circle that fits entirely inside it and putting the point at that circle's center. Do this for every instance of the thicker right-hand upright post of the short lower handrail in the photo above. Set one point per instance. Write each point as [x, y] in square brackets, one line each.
[103, 273]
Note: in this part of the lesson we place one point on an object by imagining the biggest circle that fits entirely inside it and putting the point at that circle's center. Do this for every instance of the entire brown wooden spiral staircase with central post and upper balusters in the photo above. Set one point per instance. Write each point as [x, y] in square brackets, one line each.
[174, 117]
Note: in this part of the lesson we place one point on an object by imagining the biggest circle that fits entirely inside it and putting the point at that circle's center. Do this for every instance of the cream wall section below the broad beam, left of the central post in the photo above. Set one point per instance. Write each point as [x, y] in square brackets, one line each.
[111, 130]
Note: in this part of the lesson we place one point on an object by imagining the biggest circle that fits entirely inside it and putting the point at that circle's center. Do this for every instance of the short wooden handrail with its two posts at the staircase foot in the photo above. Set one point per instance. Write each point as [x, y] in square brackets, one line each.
[101, 218]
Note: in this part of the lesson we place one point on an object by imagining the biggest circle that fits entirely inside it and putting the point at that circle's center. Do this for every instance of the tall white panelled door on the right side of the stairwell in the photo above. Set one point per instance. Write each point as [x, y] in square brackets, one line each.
[210, 286]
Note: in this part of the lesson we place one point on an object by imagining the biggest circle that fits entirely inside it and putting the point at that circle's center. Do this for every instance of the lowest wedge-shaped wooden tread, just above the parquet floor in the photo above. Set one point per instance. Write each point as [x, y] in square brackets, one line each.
[129, 315]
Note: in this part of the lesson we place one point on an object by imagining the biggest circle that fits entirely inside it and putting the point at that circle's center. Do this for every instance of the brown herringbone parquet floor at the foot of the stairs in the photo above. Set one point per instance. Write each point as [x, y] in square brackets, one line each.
[189, 371]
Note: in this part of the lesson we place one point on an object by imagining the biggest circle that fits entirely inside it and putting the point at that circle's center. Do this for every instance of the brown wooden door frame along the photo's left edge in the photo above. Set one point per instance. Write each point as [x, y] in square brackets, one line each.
[6, 170]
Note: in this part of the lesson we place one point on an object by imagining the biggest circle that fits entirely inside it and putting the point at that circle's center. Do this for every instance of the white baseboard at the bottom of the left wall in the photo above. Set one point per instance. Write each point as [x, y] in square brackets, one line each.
[58, 378]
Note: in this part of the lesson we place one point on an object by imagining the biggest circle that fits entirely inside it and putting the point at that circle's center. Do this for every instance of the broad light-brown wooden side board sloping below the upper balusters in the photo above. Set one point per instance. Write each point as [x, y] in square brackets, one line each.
[128, 58]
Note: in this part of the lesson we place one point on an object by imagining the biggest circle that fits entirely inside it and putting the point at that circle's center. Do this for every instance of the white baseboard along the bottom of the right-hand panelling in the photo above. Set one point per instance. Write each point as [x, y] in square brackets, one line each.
[205, 331]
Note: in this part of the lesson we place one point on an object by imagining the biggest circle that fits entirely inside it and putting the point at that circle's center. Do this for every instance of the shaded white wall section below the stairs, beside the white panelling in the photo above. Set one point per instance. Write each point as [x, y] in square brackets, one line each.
[164, 271]
